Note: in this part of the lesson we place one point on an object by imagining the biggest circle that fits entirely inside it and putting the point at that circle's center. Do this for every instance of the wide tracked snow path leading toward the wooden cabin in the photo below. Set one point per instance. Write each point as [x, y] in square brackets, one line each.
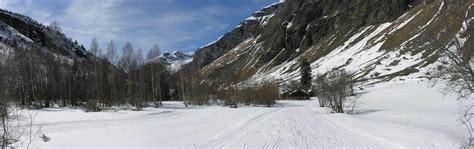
[307, 126]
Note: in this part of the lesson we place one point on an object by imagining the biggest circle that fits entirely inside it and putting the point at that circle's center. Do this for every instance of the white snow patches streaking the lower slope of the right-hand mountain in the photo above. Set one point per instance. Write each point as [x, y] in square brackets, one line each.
[359, 54]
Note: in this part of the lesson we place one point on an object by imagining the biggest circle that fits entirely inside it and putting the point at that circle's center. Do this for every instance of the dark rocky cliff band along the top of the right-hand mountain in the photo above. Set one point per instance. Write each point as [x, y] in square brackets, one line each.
[312, 19]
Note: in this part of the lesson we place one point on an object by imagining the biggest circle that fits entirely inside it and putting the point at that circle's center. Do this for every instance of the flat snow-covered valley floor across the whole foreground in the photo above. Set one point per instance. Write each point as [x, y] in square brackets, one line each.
[406, 114]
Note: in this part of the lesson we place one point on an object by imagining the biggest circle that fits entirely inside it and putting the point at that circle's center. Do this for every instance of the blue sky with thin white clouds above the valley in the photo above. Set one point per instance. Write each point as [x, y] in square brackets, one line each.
[173, 24]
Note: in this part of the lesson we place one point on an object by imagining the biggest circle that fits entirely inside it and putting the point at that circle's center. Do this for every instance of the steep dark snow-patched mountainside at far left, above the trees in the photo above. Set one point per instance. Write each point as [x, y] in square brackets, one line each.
[20, 31]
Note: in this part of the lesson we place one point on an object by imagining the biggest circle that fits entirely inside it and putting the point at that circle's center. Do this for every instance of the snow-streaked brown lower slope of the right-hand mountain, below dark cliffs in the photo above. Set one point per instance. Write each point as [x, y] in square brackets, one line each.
[364, 53]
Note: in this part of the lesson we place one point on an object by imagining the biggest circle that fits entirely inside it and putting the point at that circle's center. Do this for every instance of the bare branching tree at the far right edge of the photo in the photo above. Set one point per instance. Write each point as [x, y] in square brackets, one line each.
[456, 68]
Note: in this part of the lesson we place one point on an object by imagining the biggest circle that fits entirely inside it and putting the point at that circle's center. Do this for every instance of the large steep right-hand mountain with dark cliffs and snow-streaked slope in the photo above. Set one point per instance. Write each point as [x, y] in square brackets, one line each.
[377, 40]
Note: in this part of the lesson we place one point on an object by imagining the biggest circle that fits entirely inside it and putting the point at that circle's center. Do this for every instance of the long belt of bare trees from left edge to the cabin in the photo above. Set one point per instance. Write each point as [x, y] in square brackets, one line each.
[36, 78]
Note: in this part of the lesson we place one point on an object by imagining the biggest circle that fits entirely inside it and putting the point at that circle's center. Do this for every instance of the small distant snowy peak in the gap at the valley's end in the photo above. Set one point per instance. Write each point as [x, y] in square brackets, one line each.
[174, 60]
